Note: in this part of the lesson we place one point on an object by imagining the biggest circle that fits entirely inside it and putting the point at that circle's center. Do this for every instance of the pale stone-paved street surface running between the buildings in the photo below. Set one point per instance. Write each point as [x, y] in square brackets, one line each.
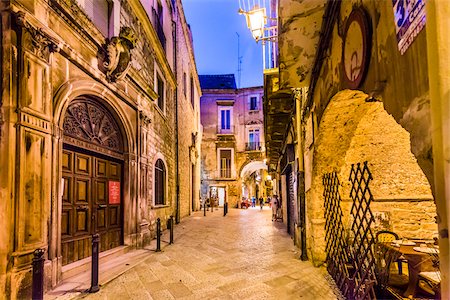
[241, 256]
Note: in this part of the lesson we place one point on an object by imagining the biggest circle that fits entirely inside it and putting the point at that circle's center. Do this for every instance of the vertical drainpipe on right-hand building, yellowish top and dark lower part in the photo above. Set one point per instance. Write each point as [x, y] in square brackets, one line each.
[301, 197]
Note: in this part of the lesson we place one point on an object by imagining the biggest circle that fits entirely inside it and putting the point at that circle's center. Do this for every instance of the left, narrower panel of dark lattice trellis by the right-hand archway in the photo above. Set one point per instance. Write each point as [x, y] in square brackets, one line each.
[336, 244]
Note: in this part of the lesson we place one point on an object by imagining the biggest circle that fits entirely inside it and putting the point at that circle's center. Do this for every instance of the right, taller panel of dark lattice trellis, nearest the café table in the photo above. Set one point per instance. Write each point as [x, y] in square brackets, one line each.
[363, 280]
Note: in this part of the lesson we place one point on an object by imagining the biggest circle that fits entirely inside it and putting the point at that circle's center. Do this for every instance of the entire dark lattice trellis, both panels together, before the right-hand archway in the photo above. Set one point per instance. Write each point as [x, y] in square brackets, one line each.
[351, 266]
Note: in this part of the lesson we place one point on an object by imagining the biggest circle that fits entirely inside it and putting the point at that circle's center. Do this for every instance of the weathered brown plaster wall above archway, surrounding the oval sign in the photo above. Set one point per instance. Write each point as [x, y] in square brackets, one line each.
[389, 76]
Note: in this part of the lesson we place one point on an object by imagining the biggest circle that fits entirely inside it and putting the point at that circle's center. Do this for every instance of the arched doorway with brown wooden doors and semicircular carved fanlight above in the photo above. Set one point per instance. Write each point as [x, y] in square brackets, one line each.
[92, 172]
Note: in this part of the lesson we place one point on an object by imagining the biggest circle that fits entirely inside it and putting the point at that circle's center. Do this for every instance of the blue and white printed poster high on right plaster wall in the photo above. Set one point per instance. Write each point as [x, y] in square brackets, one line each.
[409, 18]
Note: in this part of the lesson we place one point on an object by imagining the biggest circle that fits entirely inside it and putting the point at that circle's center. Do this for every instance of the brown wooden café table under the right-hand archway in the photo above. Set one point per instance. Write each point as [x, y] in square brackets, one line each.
[417, 262]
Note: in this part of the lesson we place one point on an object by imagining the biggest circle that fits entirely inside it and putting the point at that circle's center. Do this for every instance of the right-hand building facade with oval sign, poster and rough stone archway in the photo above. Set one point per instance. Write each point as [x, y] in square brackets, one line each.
[353, 94]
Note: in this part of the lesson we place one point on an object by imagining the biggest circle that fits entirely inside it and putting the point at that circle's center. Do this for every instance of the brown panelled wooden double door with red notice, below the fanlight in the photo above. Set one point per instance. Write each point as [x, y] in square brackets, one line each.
[92, 203]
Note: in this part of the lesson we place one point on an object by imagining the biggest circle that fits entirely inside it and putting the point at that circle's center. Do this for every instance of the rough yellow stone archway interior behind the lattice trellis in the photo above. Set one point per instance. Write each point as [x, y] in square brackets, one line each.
[351, 131]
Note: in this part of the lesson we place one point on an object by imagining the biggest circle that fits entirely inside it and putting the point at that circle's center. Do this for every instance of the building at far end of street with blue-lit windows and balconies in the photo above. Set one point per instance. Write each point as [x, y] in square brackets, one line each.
[233, 164]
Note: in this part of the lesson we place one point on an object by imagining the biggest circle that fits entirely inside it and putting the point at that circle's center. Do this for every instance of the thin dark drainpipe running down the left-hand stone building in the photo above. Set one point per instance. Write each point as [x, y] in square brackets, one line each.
[177, 176]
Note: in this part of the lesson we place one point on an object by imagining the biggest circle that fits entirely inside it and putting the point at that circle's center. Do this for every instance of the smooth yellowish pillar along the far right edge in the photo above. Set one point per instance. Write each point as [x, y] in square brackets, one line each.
[438, 50]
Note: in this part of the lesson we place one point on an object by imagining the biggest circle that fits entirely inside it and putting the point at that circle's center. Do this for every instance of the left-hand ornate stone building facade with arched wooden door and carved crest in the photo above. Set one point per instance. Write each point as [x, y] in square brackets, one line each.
[89, 140]
